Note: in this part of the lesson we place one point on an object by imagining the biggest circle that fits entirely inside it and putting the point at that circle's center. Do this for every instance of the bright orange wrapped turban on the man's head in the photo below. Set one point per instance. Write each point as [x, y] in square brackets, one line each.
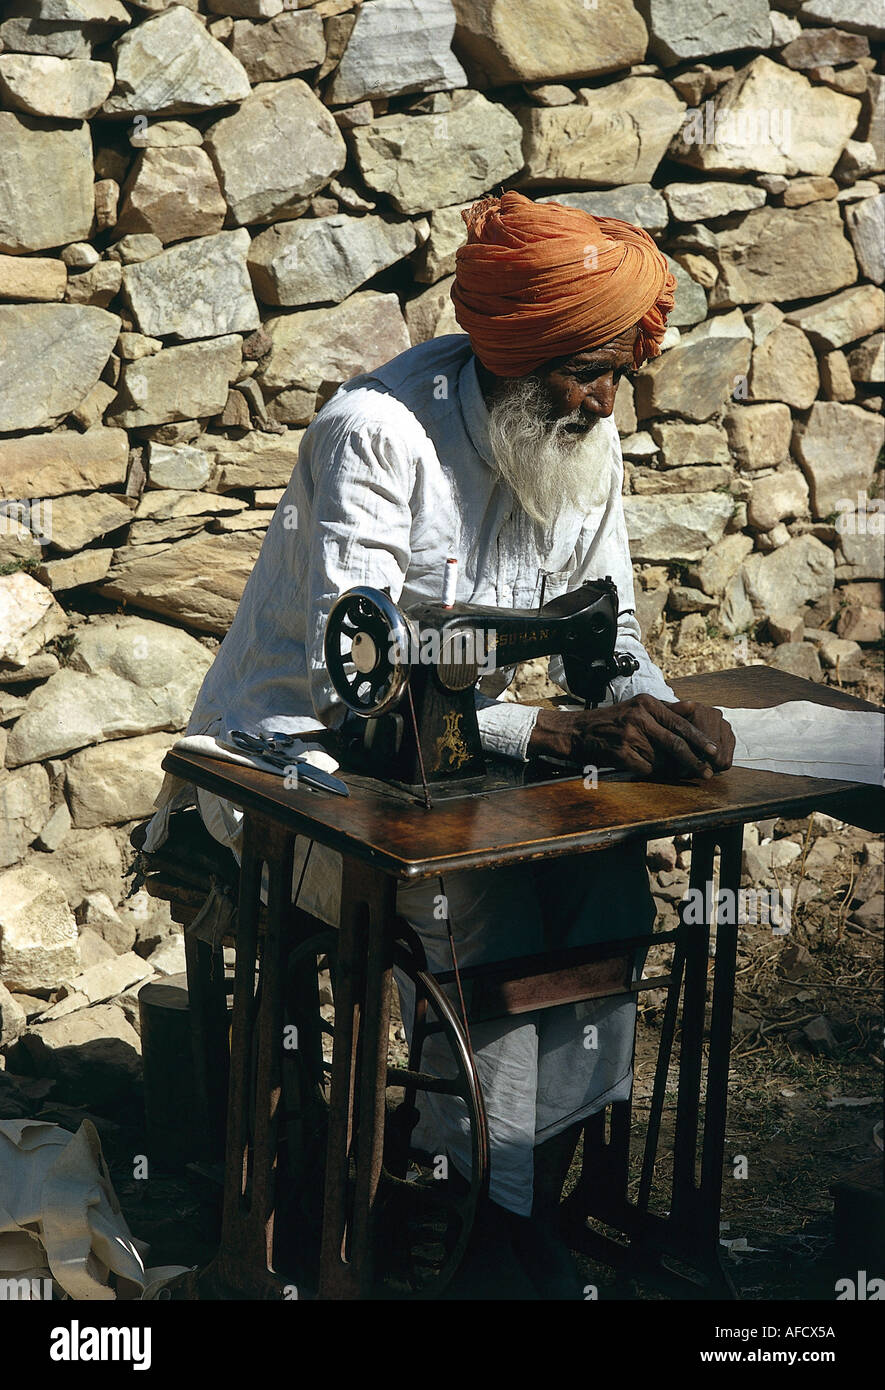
[537, 281]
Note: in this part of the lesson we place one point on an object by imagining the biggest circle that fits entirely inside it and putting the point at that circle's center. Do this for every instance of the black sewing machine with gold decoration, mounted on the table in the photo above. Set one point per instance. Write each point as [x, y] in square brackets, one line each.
[409, 678]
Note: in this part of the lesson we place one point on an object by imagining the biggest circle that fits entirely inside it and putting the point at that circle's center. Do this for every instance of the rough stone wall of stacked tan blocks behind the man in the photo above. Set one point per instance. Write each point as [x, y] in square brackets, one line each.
[212, 215]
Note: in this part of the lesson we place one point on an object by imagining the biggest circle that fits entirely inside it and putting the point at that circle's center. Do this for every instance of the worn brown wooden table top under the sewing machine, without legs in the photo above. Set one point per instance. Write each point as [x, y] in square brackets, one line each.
[555, 818]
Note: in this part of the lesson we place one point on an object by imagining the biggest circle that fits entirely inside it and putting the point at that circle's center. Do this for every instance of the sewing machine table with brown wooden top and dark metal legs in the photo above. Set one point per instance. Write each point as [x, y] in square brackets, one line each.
[384, 843]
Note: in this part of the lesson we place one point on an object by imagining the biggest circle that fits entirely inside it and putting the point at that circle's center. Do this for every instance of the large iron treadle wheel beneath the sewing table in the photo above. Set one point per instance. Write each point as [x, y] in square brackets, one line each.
[423, 1220]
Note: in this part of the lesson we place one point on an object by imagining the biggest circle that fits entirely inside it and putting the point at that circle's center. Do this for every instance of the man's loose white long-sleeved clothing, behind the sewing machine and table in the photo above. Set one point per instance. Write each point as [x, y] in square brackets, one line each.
[395, 476]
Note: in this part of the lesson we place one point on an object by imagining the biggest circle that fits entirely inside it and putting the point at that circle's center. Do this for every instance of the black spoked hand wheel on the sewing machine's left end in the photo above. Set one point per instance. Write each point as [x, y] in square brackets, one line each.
[367, 646]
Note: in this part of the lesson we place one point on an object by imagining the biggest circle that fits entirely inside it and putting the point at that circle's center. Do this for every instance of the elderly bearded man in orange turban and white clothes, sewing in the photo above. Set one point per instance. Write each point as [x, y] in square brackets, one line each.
[498, 448]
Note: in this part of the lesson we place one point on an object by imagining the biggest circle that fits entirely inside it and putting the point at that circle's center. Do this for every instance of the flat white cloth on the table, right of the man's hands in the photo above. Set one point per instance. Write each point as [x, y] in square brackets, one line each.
[809, 740]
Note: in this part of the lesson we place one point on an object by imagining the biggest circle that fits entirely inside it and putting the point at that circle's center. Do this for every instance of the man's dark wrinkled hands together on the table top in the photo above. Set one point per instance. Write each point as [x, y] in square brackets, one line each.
[643, 736]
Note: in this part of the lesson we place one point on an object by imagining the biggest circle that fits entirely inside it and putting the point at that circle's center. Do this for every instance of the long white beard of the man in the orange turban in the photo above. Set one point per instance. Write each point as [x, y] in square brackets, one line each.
[547, 465]
